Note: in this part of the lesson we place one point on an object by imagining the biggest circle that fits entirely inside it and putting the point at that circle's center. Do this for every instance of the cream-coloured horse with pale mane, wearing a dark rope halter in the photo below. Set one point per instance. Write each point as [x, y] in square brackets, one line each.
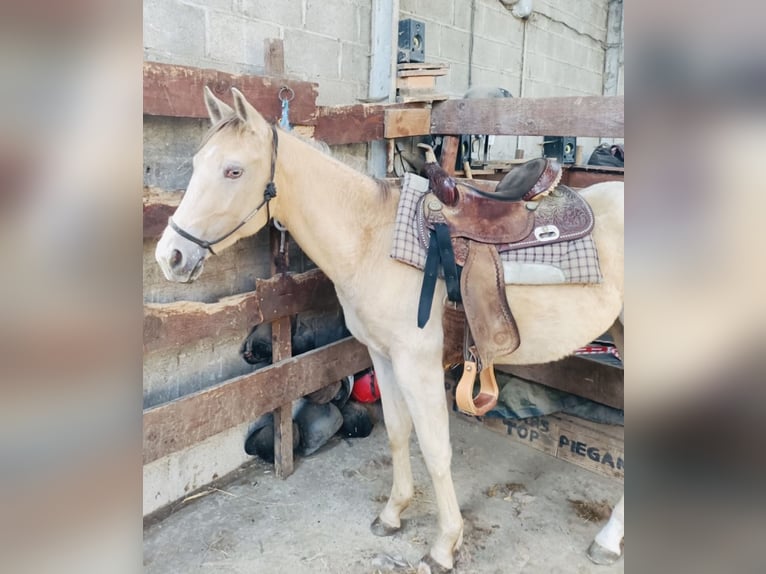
[248, 172]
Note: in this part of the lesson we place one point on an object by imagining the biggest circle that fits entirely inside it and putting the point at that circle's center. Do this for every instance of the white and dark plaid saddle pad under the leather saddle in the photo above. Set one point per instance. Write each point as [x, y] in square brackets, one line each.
[574, 261]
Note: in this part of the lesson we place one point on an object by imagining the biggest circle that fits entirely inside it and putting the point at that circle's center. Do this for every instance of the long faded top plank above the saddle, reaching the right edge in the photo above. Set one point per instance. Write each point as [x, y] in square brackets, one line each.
[597, 116]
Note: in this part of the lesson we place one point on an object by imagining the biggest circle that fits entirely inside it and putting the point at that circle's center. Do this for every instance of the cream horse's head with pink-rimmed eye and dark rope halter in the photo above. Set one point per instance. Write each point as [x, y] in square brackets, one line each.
[229, 191]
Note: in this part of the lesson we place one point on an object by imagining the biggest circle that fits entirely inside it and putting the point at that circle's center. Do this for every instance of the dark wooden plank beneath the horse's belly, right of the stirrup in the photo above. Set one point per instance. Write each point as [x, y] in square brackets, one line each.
[586, 378]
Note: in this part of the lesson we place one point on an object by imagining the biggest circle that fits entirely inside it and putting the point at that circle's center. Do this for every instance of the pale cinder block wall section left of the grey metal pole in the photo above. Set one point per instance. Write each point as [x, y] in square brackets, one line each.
[326, 41]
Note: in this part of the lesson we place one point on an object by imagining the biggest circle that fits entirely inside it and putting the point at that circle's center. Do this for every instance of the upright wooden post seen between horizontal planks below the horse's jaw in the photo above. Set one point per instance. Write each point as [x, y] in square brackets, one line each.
[281, 348]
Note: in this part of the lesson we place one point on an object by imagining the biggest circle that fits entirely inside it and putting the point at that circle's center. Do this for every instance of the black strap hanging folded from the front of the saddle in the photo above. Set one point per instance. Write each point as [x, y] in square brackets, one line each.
[440, 254]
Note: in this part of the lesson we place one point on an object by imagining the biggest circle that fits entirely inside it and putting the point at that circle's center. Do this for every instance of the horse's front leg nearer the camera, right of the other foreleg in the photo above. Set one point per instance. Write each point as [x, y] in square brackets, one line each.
[421, 380]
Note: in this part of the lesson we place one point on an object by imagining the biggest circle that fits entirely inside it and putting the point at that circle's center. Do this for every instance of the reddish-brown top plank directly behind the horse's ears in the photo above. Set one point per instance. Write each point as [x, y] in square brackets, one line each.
[176, 91]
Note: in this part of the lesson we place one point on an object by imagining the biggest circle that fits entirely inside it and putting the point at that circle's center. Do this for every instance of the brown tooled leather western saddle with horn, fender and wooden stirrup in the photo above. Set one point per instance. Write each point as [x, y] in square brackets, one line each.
[466, 232]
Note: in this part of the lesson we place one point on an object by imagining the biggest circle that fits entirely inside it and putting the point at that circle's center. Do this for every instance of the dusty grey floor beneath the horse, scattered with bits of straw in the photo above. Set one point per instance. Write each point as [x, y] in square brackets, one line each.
[516, 504]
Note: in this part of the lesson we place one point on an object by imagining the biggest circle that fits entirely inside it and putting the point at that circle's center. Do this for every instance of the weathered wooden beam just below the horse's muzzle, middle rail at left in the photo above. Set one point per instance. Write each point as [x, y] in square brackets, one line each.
[168, 325]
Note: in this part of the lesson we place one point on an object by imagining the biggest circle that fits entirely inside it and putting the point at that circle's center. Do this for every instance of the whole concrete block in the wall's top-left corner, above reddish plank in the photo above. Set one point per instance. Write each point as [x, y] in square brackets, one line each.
[174, 28]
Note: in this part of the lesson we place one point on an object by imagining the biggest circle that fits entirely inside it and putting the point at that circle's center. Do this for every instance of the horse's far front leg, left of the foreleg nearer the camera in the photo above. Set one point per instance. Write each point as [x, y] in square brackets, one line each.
[398, 426]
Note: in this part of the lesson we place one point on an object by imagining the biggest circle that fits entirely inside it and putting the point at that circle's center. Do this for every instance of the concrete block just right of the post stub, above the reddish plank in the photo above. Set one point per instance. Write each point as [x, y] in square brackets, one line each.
[311, 56]
